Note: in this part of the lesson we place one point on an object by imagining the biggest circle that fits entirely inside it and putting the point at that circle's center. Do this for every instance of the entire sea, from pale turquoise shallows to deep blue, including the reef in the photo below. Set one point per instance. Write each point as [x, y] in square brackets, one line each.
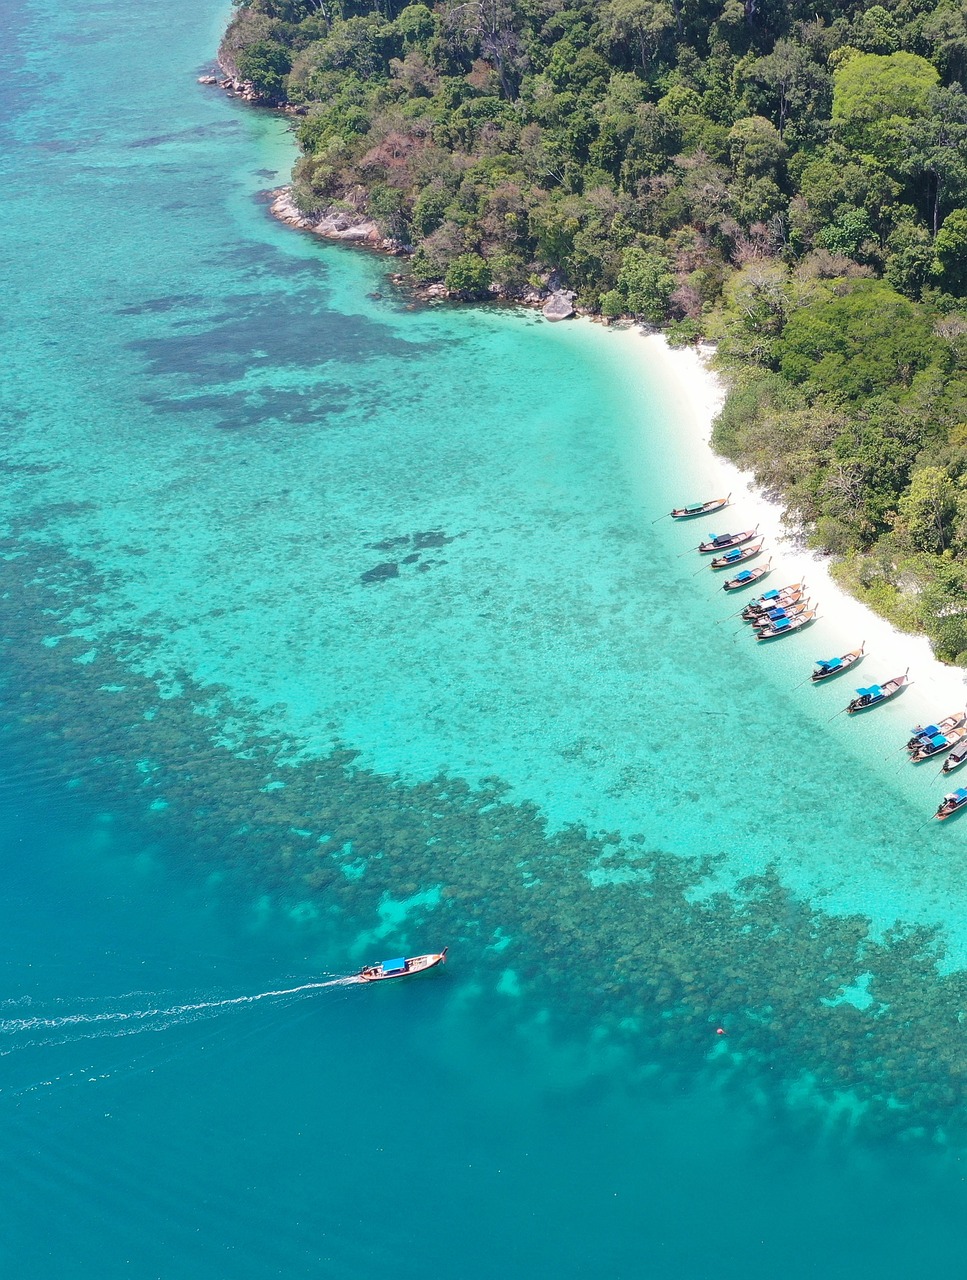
[334, 629]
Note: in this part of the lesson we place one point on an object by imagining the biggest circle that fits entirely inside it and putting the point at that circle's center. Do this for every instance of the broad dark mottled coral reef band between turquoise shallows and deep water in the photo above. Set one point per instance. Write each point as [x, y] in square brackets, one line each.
[600, 932]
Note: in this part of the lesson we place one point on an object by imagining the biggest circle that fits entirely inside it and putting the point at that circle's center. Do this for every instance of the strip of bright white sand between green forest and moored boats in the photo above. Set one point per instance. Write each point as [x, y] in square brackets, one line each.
[697, 395]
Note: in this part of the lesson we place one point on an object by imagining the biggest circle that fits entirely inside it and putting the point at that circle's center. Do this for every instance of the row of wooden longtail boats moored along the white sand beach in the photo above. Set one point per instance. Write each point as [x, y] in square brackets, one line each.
[786, 610]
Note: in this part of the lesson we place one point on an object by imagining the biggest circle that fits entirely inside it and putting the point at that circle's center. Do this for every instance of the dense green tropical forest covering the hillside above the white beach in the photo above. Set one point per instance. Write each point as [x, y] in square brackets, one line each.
[787, 181]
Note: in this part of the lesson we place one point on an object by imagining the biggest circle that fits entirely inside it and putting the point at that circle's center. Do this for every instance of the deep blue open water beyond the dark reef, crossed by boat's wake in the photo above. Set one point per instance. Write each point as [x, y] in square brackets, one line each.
[362, 1133]
